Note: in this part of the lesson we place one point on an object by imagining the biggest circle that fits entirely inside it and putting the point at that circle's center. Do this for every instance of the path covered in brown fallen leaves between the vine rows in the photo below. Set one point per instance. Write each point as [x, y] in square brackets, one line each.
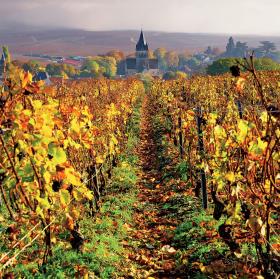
[152, 255]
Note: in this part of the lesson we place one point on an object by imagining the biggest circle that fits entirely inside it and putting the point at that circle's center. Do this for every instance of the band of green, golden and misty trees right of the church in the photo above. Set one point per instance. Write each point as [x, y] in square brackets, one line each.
[214, 61]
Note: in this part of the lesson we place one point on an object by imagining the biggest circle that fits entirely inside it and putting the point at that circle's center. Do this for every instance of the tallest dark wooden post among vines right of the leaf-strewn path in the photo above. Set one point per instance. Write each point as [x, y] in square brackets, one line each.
[201, 151]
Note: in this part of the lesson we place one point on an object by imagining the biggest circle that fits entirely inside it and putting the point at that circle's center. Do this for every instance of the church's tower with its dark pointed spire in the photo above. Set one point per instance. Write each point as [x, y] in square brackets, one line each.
[142, 57]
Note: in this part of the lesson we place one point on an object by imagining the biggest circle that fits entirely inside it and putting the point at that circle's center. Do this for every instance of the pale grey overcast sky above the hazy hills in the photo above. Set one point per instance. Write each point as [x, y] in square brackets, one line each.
[203, 16]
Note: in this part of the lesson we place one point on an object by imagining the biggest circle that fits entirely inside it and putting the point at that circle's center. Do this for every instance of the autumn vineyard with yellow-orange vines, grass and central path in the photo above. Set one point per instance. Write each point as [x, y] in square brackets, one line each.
[132, 179]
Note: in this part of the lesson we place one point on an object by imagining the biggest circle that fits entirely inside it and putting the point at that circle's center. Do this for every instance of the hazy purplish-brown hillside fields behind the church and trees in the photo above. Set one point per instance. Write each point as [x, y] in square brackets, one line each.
[80, 42]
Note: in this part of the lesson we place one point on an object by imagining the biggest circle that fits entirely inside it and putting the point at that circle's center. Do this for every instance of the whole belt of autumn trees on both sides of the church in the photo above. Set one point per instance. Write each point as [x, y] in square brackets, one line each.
[171, 63]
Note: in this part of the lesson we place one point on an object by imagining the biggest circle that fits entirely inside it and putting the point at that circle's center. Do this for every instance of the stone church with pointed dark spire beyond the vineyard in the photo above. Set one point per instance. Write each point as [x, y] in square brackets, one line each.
[141, 63]
